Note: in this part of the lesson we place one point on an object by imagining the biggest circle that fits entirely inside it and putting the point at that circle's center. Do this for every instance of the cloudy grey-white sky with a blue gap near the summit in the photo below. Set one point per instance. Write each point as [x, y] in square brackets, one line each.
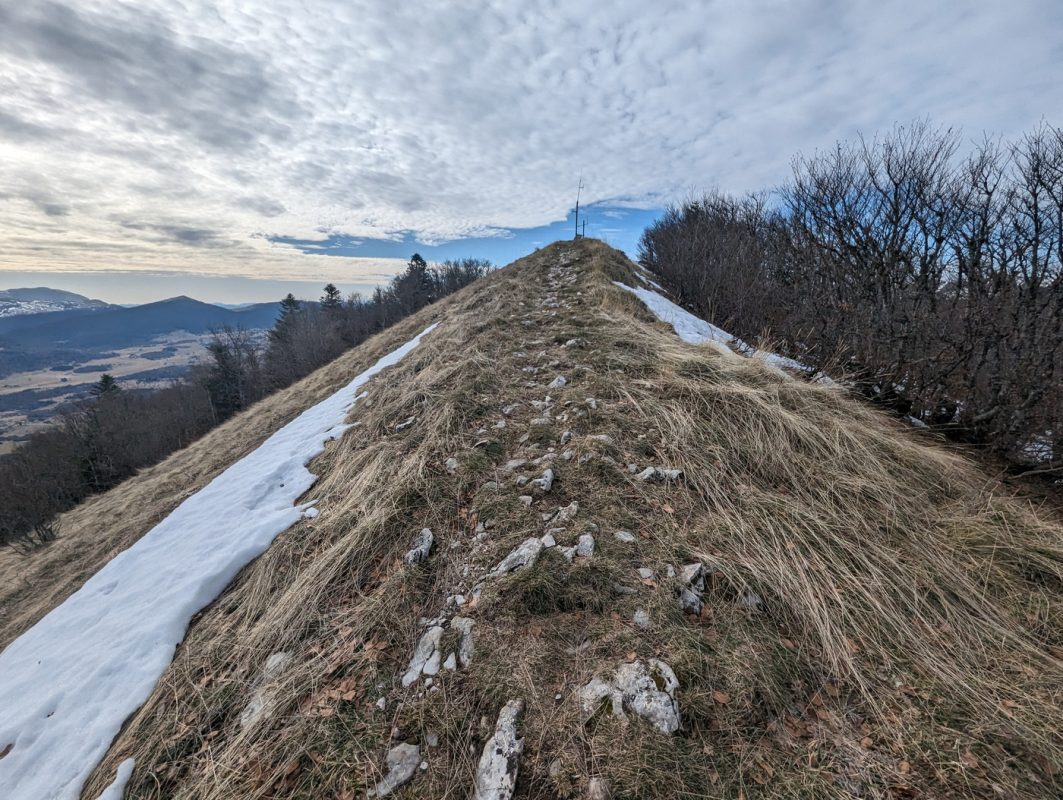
[292, 141]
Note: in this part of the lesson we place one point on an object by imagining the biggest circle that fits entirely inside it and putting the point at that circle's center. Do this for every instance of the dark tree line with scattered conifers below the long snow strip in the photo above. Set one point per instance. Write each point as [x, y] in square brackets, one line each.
[115, 431]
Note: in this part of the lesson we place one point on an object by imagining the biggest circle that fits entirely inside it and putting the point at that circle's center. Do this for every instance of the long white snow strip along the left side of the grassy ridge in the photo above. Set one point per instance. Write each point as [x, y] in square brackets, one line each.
[70, 683]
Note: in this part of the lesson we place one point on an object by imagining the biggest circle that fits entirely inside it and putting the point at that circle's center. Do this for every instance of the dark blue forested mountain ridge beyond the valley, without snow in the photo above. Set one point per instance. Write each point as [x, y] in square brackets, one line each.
[115, 328]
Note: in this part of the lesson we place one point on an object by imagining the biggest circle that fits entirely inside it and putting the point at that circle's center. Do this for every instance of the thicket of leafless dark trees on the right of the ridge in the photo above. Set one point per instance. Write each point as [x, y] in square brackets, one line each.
[934, 279]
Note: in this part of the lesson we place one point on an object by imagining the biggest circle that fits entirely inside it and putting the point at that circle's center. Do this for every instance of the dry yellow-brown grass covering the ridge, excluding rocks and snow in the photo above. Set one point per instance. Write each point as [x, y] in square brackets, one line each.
[907, 643]
